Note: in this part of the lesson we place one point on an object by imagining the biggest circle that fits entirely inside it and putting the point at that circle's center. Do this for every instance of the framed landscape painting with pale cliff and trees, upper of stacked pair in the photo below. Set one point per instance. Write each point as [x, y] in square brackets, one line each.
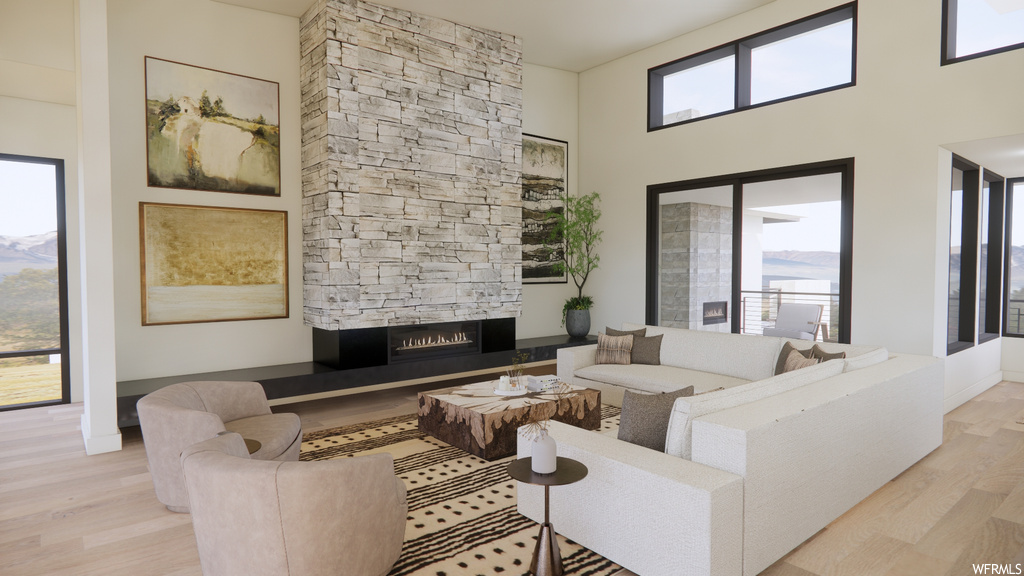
[211, 131]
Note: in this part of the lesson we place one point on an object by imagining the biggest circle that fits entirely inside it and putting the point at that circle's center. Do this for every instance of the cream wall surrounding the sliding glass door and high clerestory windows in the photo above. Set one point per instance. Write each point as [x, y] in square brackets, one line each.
[893, 122]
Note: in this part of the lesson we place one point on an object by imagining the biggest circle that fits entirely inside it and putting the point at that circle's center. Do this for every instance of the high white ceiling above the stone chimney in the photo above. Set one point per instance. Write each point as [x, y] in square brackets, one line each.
[573, 35]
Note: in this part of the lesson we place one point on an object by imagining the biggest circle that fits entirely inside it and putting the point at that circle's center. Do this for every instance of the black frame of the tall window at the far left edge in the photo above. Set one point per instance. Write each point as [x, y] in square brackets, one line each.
[64, 351]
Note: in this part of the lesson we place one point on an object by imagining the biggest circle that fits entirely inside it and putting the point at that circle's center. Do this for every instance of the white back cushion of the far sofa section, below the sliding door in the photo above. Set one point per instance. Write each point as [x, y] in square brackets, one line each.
[750, 358]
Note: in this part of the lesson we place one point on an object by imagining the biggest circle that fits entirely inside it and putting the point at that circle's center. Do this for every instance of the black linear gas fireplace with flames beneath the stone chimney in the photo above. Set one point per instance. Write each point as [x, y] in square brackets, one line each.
[448, 344]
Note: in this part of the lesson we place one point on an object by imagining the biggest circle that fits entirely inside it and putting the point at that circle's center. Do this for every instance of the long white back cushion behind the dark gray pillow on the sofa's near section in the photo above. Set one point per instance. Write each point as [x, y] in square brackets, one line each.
[686, 410]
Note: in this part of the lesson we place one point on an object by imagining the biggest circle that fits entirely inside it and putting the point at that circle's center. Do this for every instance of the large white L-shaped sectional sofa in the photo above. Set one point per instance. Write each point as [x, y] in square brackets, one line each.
[750, 472]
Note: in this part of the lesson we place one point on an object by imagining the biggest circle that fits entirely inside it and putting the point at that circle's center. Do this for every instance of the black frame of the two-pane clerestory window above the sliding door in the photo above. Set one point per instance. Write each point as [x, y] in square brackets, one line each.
[742, 51]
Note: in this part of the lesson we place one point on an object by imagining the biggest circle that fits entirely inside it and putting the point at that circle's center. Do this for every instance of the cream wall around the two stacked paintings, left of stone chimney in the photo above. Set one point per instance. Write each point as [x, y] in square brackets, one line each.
[231, 39]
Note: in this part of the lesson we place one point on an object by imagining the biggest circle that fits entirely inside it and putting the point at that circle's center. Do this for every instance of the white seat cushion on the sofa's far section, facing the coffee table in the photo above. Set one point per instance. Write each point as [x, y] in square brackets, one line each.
[656, 380]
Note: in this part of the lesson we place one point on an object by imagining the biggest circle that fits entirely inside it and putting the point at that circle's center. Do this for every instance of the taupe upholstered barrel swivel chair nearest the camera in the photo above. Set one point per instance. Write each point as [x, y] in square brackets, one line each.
[338, 518]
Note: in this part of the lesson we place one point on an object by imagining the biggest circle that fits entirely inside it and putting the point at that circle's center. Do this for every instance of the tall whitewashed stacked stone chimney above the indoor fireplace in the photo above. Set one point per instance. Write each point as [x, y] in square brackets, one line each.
[411, 169]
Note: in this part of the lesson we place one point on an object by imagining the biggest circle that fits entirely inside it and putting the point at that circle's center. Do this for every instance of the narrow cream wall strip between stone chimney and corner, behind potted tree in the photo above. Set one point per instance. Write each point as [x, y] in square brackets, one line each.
[549, 110]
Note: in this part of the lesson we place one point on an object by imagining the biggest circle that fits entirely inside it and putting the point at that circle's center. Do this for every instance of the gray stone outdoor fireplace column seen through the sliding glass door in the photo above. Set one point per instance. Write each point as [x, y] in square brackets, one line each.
[697, 264]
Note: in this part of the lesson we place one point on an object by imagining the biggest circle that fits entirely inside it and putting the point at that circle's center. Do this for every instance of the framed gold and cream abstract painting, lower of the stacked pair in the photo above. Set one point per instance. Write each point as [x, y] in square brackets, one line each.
[202, 264]
